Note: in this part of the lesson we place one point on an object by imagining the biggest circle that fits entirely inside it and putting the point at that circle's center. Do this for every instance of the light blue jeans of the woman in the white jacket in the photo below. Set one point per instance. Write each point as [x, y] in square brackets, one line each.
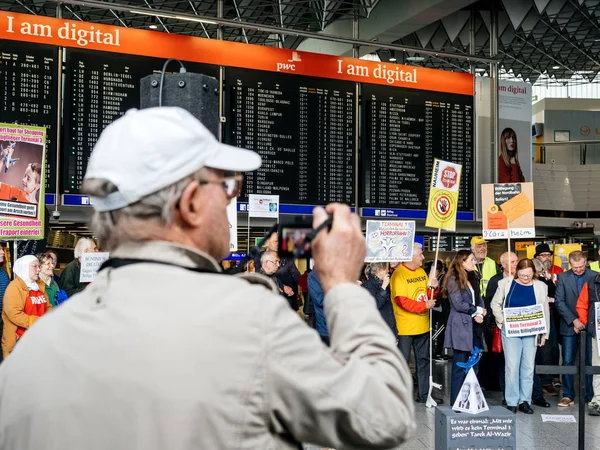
[519, 356]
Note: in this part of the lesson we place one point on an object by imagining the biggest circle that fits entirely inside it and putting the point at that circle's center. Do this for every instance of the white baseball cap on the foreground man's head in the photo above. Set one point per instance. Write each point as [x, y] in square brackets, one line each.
[149, 149]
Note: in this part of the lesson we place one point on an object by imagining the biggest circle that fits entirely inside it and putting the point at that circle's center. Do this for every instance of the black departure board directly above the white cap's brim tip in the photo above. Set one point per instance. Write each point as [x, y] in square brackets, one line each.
[302, 127]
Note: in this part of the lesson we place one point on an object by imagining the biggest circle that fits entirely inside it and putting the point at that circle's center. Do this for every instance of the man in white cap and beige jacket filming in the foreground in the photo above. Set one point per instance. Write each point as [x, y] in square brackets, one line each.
[165, 351]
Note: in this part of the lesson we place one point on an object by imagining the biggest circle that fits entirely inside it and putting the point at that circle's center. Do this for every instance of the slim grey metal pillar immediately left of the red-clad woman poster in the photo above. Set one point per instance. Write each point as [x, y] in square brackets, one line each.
[494, 125]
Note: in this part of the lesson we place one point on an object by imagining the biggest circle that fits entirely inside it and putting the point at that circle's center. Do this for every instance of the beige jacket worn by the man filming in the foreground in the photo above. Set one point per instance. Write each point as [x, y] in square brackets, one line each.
[153, 356]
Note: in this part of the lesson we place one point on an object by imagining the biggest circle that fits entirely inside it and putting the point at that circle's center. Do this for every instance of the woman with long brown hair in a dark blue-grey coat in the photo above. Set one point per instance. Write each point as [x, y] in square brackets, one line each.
[466, 311]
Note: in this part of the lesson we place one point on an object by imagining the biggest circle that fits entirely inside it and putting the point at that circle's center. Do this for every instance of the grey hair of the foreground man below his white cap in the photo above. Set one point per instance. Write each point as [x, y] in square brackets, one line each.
[129, 223]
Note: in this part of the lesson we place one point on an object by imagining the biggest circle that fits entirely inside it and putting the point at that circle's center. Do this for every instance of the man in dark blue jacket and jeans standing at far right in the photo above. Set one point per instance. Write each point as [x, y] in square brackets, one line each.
[568, 288]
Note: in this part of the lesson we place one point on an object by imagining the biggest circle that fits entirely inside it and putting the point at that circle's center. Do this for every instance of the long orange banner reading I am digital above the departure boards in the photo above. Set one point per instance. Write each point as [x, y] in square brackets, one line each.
[93, 36]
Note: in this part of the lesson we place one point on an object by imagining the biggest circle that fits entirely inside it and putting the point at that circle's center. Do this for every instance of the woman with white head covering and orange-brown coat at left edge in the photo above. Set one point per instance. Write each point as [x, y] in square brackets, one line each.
[25, 301]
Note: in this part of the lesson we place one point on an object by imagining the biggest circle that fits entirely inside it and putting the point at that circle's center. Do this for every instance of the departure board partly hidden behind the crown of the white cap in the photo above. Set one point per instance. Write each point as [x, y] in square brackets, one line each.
[99, 88]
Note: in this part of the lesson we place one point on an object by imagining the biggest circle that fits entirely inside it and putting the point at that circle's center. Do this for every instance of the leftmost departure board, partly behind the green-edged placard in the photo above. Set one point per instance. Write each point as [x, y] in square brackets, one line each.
[29, 93]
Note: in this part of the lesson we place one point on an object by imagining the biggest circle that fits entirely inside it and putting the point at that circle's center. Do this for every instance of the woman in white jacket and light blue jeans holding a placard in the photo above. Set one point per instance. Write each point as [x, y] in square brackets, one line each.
[519, 343]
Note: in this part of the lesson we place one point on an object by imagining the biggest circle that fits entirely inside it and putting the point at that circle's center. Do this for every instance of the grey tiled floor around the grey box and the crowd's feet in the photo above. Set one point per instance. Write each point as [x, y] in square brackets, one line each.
[532, 433]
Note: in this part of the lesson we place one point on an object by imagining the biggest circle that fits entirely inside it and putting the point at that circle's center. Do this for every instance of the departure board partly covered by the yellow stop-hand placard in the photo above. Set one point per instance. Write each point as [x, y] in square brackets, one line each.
[403, 131]
